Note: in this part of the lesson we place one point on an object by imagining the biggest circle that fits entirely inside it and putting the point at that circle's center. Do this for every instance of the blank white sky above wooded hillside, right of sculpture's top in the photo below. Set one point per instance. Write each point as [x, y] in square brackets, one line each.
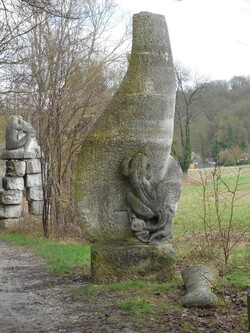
[211, 37]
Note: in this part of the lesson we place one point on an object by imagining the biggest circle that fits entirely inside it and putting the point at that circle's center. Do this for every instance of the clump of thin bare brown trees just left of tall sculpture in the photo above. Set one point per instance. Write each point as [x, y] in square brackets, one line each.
[63, 85]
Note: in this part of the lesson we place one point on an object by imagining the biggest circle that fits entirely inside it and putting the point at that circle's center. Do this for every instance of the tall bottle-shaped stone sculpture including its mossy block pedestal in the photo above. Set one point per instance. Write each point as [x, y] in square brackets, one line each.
[127, 185]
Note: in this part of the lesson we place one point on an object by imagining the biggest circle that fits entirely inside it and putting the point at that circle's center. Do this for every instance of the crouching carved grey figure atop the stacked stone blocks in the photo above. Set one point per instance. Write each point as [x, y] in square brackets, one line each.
[19, 134]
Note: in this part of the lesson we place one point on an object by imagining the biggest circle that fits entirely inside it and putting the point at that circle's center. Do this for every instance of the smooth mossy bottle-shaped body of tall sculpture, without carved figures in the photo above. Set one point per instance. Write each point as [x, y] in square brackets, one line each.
[135, 120]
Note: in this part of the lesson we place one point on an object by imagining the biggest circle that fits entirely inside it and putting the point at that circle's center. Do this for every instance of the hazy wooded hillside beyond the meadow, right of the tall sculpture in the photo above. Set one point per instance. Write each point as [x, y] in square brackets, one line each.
[212, 121]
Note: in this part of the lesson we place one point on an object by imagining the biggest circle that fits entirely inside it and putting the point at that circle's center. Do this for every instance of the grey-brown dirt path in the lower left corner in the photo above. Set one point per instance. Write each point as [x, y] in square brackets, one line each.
[31, 301]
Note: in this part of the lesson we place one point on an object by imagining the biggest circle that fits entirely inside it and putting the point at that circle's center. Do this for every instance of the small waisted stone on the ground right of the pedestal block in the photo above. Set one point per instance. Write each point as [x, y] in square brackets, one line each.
[199, 281]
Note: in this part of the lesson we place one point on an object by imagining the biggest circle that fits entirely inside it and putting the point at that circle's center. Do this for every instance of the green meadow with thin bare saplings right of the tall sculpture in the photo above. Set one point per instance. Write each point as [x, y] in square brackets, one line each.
[213, 220]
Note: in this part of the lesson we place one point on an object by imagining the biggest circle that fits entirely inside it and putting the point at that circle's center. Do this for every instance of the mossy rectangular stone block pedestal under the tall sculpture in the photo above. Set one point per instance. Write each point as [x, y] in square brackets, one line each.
[123, 261]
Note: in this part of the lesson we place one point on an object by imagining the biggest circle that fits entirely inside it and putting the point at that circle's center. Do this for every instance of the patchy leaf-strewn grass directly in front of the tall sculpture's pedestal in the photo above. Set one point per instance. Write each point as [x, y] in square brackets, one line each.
[135, 299]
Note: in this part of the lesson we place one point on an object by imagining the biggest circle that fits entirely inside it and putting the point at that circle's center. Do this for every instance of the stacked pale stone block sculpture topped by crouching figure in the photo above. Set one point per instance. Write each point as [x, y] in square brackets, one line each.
[23, 171]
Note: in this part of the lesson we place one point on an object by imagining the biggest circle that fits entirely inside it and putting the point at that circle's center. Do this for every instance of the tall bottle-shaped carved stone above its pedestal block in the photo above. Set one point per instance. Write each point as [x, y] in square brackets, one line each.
[139, 120]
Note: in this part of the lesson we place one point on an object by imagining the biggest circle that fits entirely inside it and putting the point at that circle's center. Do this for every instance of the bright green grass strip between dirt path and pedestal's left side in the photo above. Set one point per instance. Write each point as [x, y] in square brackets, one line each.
[62, 258]
